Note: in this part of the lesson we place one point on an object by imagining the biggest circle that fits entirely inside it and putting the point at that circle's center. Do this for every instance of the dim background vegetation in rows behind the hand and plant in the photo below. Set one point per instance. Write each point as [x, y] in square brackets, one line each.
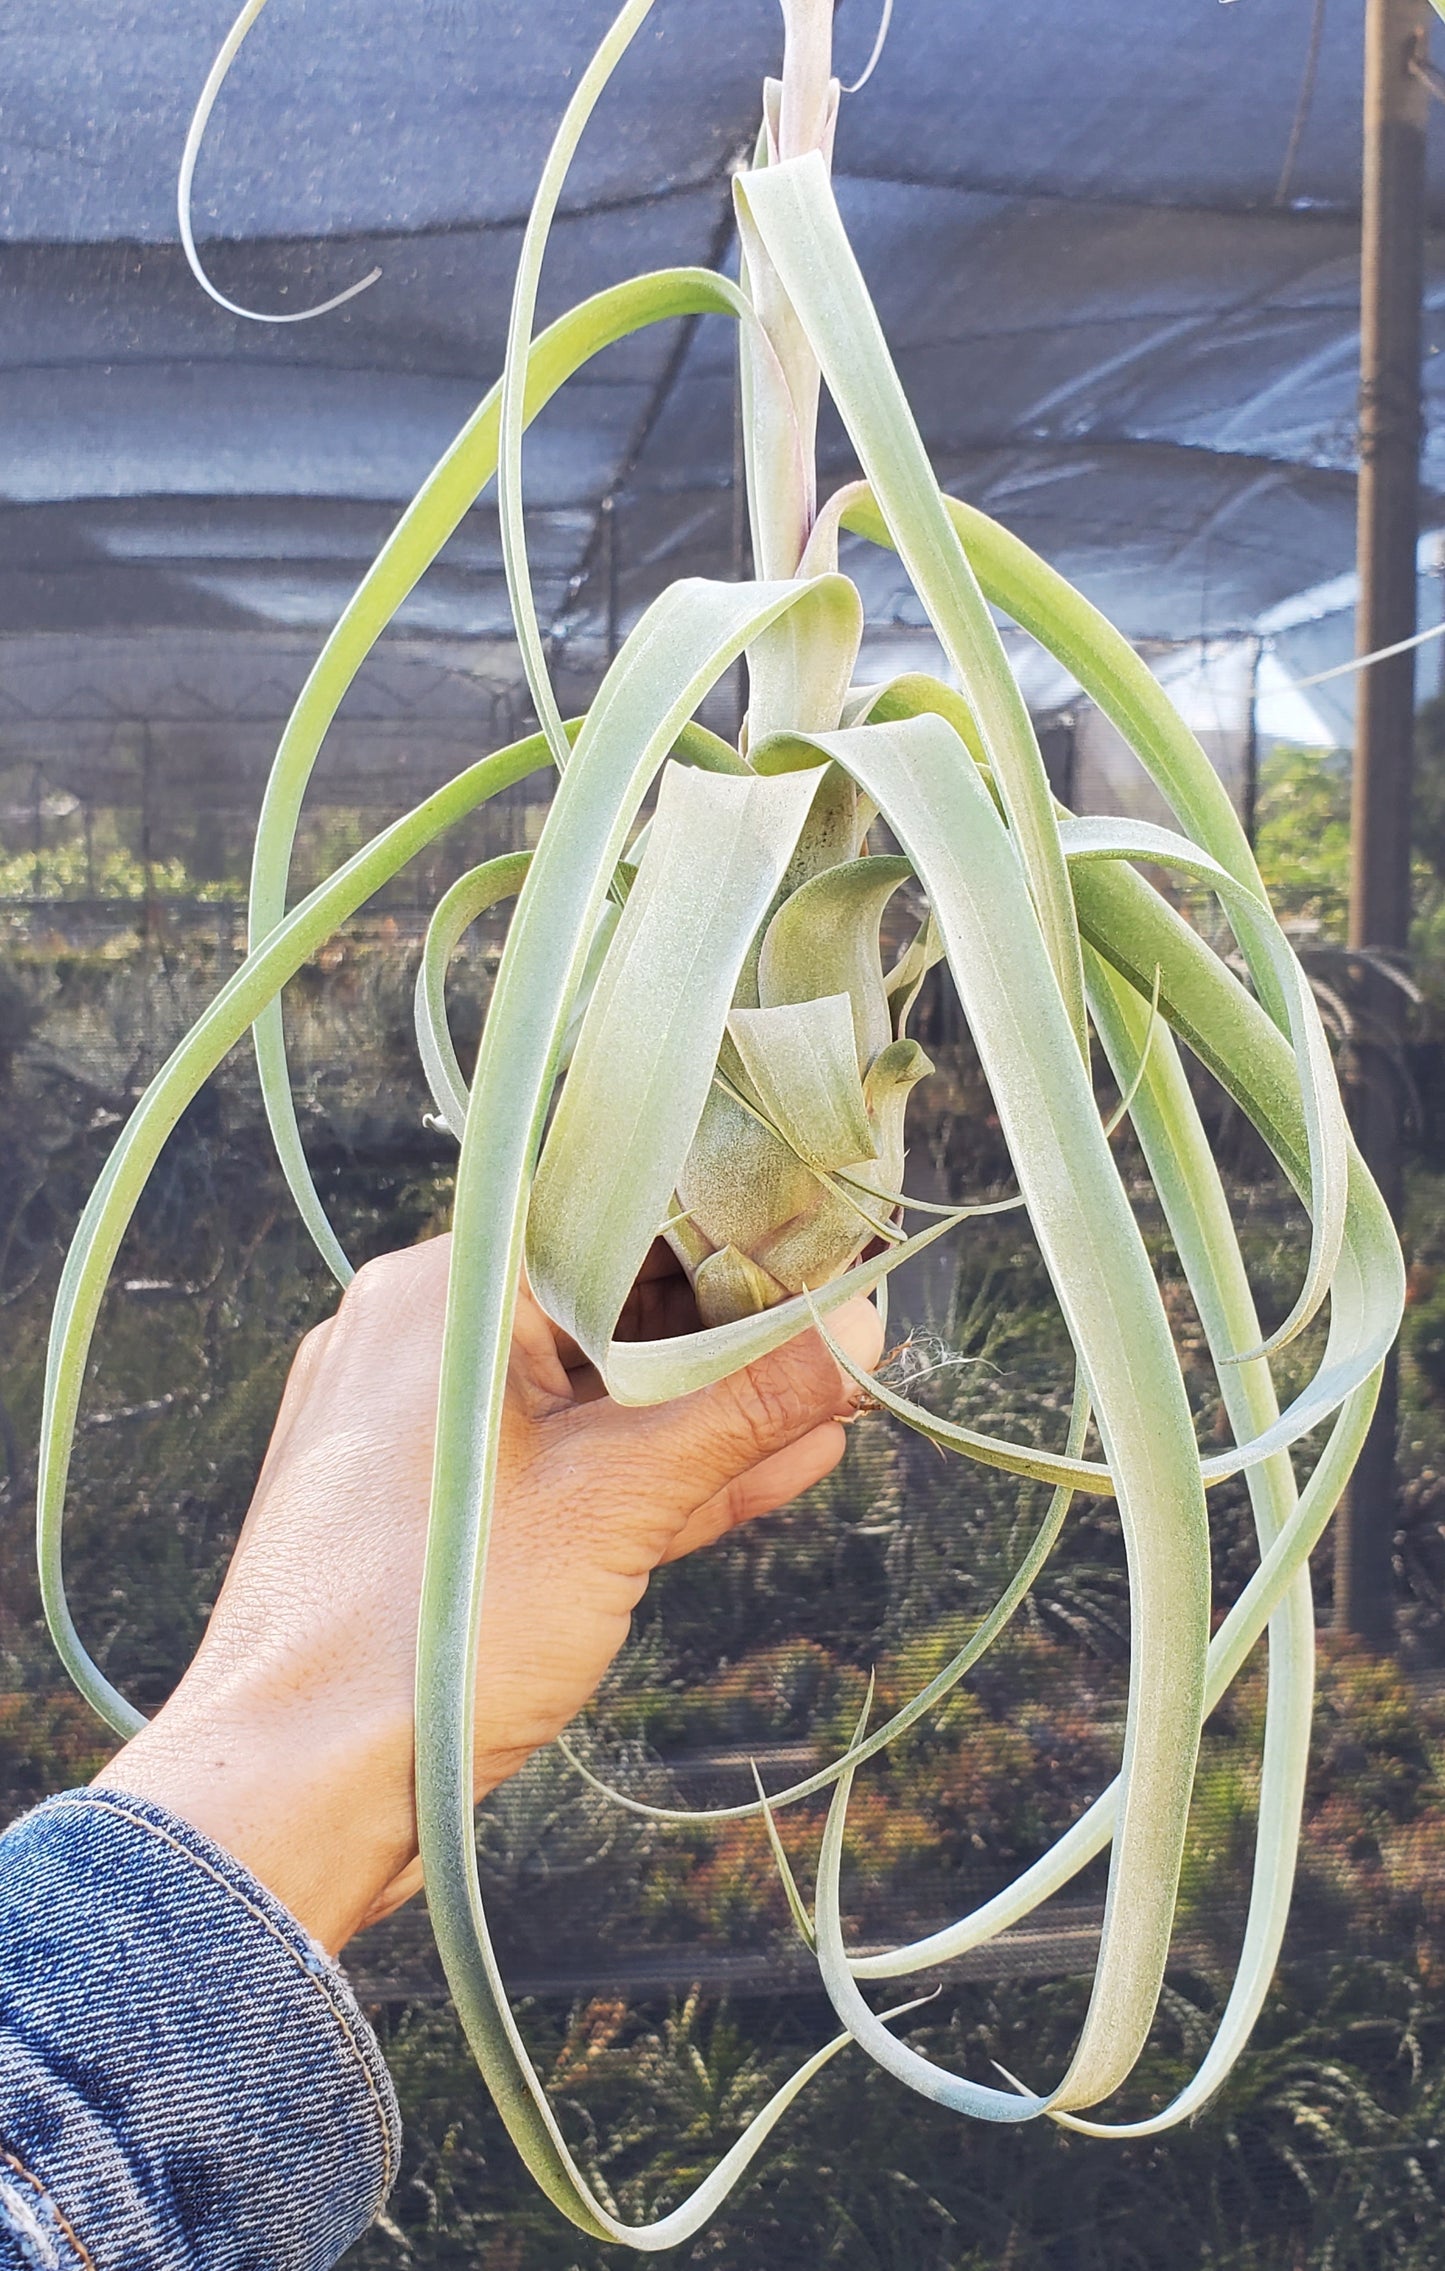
[1326, 2150]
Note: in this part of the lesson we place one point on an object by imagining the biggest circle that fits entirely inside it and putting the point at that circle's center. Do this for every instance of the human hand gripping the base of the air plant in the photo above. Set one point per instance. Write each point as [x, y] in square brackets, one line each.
[290, 1738]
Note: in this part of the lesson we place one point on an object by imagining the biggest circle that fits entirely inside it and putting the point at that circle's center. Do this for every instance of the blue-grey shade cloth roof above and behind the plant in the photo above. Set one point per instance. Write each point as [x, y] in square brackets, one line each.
[1112, 244]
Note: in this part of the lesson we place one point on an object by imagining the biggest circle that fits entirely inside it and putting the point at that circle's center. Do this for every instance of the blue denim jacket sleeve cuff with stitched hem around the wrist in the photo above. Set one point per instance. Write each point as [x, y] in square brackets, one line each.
[185, 2079]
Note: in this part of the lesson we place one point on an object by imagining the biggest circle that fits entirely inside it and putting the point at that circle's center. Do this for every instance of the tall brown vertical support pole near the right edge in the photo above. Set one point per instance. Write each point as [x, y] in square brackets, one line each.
[1385, 732]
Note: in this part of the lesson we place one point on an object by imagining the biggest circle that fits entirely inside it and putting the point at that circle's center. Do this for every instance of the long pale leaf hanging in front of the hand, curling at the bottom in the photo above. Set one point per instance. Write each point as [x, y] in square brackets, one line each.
[660, 678]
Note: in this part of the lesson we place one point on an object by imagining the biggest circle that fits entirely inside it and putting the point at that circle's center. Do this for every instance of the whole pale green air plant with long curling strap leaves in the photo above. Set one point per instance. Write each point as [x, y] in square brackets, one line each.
[694, 1034]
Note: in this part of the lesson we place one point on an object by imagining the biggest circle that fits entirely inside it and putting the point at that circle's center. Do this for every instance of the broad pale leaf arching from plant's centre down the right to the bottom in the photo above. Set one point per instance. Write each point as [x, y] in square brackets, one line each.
[933, 798]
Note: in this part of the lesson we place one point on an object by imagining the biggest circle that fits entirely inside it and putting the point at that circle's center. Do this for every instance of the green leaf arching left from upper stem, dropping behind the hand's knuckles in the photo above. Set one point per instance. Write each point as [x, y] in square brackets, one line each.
[433, 517]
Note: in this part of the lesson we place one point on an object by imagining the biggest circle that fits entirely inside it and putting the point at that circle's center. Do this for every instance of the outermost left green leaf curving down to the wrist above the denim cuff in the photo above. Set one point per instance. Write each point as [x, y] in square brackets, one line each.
[115, 1198]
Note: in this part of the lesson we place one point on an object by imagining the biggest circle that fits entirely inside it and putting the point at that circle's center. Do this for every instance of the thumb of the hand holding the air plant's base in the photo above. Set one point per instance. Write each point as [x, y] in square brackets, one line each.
[703, 1443]
